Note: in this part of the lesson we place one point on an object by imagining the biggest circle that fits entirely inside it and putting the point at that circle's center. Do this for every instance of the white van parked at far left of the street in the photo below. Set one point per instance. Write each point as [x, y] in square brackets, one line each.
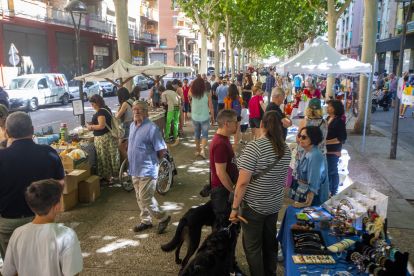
[30, 91]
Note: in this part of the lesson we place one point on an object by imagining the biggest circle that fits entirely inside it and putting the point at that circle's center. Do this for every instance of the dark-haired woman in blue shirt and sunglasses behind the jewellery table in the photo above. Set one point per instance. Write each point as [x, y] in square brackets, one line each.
[313, 168]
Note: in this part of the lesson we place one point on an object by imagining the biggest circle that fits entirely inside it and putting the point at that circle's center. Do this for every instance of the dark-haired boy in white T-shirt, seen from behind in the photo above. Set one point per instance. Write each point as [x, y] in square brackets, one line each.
[42, 247]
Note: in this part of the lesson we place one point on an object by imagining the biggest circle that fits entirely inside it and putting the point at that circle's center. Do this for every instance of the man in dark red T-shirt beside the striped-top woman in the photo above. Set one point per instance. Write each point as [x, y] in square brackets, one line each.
[222, 162]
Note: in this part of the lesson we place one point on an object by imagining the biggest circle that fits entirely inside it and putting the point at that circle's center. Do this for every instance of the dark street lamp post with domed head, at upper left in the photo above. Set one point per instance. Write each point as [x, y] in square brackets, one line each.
[79, 8]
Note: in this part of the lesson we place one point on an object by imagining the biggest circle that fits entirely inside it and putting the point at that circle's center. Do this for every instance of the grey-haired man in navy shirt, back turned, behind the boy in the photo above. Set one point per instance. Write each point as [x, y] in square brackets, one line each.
[21, 164]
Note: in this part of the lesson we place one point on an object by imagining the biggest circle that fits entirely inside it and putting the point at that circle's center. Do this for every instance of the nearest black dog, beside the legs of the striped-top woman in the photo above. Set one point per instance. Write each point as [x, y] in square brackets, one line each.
[215, 257]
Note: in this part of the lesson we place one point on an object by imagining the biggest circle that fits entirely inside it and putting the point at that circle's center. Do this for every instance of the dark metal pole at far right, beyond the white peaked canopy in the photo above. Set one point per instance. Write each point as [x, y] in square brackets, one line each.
[394, 138]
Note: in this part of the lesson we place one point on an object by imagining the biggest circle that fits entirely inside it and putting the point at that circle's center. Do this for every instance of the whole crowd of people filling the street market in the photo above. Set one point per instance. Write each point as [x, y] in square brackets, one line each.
[257, 176]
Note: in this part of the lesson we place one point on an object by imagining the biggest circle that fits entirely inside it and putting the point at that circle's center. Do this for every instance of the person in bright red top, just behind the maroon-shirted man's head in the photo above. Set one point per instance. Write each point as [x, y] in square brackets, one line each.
[255, 104]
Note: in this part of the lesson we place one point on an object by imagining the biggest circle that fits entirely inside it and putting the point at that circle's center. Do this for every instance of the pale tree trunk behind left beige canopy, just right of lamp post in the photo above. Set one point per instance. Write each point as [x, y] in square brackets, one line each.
[124, 48]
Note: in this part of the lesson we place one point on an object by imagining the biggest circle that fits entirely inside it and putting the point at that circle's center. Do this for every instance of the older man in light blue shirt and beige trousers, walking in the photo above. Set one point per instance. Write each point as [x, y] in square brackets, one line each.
[145, 149]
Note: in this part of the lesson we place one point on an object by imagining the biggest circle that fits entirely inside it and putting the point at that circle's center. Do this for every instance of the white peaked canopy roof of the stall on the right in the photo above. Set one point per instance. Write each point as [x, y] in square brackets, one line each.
[320, 58]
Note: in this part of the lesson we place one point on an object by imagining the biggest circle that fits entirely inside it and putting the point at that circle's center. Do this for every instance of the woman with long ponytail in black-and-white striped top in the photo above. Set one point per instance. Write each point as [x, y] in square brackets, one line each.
[259, 194]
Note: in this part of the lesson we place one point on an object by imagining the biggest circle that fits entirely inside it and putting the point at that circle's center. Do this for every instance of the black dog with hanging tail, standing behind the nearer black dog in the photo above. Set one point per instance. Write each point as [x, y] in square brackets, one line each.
[189, 228]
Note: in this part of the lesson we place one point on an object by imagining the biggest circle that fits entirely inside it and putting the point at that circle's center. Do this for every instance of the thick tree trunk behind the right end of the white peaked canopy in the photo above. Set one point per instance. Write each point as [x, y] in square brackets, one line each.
[367, 56]
